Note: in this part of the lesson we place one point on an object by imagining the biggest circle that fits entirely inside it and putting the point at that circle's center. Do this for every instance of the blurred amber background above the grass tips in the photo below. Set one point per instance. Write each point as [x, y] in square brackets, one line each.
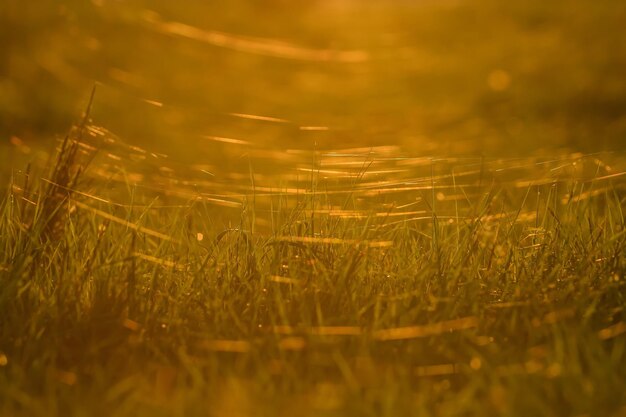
[479, 77]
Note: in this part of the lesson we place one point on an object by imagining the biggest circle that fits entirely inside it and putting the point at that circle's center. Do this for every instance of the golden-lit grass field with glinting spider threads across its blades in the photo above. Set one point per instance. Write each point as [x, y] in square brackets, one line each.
[354, 282]
